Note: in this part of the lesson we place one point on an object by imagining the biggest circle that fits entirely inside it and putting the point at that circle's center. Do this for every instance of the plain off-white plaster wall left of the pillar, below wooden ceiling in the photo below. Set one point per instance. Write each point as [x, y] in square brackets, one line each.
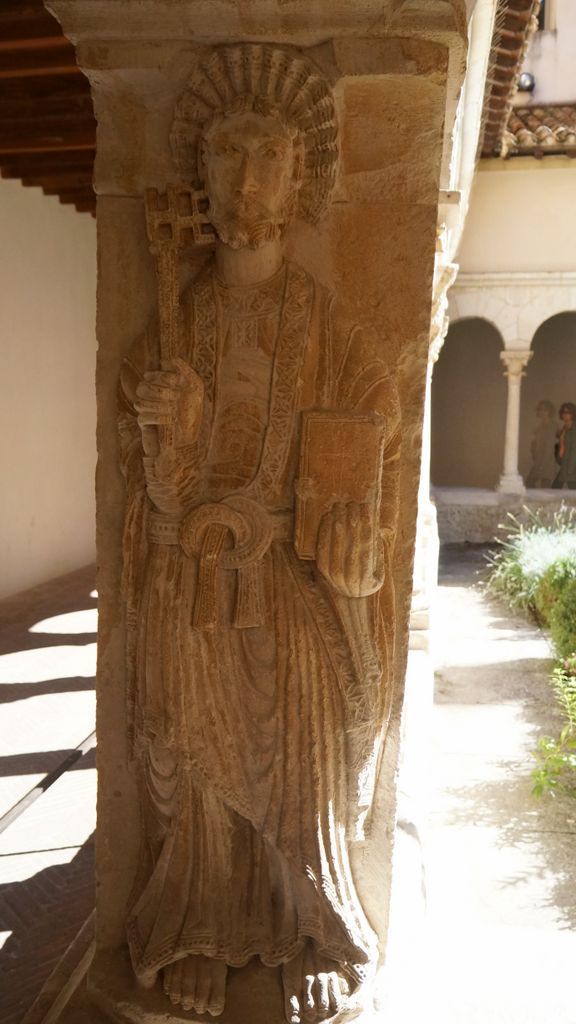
[48, 404]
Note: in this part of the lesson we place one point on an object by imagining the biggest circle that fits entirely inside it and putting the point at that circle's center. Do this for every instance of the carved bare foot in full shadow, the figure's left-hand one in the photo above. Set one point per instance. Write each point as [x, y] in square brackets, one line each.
[197, 984]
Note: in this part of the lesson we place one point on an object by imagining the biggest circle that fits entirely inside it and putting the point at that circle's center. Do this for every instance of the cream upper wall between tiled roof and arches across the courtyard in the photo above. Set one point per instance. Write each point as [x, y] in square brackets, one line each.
[522, 218]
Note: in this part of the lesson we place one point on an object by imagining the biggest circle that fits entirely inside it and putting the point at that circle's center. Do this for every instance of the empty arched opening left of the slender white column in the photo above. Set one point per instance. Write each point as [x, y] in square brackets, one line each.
[469, 407]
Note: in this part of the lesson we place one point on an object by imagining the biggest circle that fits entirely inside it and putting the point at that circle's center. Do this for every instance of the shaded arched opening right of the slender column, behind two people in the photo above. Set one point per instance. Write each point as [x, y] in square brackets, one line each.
[551, 377]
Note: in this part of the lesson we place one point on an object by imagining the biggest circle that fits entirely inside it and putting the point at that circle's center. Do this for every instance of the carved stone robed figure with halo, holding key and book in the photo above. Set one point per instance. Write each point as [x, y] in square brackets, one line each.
[261, 457]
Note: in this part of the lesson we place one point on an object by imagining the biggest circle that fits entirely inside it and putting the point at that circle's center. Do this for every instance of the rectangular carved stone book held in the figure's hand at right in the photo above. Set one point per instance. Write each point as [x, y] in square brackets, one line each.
[341, 461]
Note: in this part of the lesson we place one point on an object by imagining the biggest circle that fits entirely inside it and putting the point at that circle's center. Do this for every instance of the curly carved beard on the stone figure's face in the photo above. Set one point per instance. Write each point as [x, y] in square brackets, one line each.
[248, 224]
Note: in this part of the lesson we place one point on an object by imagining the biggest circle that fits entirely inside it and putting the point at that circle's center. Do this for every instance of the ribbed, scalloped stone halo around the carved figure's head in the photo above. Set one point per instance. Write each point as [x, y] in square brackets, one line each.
[273, 81]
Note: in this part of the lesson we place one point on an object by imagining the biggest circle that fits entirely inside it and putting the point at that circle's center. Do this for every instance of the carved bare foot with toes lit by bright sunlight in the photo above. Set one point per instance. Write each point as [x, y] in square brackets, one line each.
[315, 988]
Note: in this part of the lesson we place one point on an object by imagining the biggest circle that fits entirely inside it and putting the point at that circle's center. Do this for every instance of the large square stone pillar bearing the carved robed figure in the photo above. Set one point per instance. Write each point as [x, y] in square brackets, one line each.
[381, 83]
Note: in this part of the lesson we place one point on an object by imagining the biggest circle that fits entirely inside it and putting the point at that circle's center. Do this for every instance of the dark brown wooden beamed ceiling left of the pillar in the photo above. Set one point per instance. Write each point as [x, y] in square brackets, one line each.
[48, 127]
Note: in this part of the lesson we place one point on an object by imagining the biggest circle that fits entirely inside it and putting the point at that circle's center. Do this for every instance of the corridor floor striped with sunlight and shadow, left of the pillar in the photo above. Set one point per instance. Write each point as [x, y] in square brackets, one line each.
[48, 787]
